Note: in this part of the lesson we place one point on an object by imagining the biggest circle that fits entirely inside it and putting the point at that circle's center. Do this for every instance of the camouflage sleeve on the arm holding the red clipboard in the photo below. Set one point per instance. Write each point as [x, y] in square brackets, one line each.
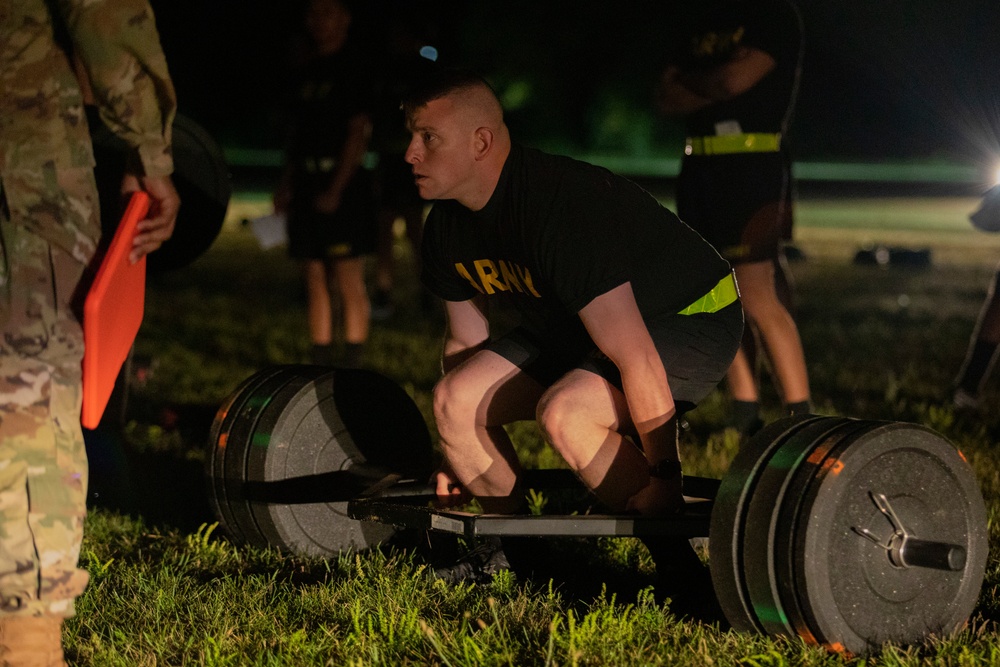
[119, 46]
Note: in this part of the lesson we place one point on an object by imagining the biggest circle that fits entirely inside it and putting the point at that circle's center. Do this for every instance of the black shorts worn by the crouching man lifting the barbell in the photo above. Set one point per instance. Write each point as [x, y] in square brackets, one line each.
[696, 350]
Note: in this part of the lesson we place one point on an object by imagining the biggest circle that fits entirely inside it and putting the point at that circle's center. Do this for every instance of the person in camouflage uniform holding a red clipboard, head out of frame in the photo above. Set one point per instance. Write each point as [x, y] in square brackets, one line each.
[49, 230]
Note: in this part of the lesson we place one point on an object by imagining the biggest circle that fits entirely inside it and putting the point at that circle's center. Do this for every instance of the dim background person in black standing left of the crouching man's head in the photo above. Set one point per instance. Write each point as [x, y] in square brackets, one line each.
[326, 193]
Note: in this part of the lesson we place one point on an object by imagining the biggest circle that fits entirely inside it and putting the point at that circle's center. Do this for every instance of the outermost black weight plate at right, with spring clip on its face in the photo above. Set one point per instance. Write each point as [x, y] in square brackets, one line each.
[854, 599]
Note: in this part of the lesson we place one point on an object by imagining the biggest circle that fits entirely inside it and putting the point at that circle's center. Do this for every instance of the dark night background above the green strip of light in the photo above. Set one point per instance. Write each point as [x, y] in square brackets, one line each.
[884, 80]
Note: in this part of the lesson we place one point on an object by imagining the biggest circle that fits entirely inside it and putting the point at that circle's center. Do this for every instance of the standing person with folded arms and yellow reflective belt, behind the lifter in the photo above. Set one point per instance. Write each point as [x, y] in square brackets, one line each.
[734, 77]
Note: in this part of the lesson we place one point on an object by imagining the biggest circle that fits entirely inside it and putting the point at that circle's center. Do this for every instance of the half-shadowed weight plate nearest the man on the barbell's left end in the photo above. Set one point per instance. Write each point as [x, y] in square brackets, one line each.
[342, 419]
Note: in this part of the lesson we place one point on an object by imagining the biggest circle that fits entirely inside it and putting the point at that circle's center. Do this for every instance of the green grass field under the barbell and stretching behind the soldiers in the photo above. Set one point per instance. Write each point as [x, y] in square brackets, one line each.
[882, 342]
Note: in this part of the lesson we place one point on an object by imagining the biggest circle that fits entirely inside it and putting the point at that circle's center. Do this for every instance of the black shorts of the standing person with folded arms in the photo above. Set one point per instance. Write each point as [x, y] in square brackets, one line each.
[740, 203]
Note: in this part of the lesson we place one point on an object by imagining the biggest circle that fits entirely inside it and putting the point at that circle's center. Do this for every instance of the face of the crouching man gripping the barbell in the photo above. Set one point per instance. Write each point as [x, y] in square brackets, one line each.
[442, 151]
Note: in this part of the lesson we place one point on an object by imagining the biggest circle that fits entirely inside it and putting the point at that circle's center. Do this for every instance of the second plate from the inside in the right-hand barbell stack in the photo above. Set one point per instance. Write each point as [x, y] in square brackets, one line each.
[760, 525]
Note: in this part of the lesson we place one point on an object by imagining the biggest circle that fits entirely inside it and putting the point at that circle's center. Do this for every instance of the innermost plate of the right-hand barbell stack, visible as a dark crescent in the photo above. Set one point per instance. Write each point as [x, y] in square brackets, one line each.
[726, 526]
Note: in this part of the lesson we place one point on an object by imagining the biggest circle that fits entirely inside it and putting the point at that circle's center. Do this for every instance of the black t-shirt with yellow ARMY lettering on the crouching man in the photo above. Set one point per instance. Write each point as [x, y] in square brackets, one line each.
[557, 233]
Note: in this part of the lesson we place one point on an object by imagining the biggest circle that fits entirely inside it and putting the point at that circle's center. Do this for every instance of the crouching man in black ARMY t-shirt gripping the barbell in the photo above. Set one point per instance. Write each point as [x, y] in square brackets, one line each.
[616, 315]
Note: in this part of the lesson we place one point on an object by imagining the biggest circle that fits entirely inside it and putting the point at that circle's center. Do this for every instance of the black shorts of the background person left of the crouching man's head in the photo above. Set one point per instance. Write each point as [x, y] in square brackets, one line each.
[350, 231]
